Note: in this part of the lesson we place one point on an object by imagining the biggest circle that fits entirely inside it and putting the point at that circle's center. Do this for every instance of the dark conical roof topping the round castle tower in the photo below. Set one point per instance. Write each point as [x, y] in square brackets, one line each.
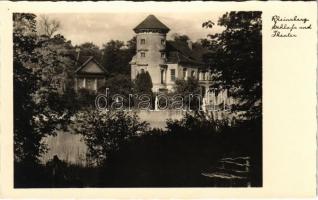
[151, 22]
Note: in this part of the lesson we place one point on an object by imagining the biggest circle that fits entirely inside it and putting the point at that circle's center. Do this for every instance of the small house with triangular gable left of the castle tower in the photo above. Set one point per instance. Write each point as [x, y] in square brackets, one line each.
[91, 75]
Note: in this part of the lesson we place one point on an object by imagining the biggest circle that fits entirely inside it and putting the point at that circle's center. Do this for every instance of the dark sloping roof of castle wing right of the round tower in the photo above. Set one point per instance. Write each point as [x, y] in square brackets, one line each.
[180, 52]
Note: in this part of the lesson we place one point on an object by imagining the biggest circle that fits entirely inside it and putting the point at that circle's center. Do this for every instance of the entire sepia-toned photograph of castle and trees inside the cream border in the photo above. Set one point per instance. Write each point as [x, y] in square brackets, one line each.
[138, 99]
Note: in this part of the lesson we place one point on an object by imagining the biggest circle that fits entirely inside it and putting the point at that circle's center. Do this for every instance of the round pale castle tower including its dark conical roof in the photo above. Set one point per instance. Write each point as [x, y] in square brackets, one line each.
[150, 51]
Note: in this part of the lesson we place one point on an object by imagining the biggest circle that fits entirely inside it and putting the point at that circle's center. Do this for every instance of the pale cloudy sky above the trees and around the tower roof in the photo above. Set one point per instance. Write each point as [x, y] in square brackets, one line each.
[102, 27]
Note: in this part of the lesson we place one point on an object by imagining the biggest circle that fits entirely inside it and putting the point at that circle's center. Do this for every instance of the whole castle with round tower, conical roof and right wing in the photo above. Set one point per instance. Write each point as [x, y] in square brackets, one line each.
[166, 61]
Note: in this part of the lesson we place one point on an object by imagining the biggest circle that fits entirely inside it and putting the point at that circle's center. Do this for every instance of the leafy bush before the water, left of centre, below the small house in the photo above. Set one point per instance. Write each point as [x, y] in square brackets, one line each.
[105, 132]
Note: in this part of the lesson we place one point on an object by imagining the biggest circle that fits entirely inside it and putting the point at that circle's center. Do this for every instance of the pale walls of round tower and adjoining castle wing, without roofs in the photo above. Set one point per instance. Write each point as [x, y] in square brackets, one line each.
[150, 56]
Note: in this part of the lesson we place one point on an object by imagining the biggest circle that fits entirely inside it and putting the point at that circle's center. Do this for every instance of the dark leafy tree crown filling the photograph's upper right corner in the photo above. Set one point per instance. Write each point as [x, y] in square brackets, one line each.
[237, 55]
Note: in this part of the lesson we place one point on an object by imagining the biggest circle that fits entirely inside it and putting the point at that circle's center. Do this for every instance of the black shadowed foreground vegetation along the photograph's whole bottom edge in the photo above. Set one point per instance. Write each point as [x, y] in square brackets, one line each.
[191, 153]
